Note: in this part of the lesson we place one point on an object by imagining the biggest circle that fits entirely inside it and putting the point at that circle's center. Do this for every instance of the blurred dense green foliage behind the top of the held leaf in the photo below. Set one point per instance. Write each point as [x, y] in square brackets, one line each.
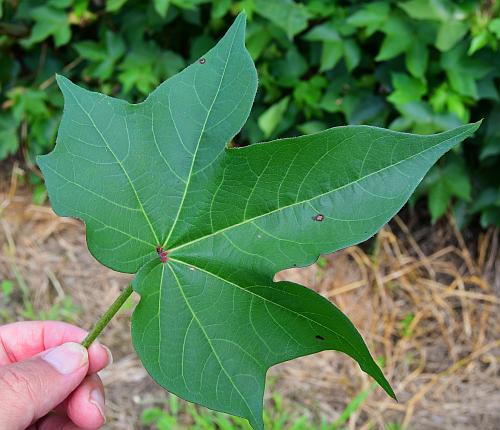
[422, 66]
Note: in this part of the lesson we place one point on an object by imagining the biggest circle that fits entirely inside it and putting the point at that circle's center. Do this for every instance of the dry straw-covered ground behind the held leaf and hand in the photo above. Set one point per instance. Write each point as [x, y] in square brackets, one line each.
[426, 300]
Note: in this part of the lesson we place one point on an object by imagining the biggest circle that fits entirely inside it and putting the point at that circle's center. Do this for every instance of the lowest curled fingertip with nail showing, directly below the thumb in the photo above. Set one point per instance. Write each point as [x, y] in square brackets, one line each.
[85, 406]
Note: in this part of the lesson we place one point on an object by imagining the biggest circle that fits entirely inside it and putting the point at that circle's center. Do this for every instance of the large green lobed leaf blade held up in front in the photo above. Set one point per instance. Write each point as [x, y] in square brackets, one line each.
[211, 320]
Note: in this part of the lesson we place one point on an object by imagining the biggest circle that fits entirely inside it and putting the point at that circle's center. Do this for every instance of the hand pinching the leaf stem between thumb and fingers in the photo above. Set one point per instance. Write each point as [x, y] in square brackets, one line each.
[48, 380]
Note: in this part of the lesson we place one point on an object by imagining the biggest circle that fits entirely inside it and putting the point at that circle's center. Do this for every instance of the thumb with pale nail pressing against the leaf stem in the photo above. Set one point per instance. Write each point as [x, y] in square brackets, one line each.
[30, 389]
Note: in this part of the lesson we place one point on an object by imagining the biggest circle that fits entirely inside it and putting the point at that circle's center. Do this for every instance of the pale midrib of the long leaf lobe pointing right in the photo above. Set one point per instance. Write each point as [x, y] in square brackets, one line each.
[249, 220]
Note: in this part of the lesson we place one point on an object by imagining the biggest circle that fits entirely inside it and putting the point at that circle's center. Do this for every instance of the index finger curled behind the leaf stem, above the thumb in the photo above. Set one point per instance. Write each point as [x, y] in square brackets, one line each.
[22, 340]
